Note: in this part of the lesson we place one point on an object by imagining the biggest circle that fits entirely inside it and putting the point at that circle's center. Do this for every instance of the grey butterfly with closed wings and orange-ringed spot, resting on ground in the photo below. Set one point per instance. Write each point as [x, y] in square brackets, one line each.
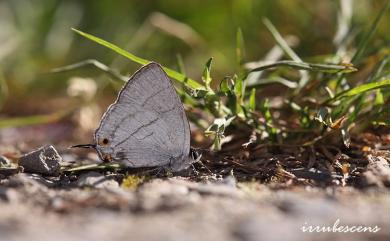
[146, 126]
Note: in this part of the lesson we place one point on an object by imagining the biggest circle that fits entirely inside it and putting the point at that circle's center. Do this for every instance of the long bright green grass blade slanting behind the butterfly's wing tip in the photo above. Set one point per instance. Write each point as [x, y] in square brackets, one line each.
[171, 73]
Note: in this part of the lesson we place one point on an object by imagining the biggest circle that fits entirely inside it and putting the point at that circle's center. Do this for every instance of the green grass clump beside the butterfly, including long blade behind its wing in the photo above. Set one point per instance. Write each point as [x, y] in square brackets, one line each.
[319, 98]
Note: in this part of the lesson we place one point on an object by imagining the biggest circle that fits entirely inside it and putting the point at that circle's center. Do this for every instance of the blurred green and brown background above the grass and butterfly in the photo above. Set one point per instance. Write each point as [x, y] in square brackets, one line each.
[36, 37]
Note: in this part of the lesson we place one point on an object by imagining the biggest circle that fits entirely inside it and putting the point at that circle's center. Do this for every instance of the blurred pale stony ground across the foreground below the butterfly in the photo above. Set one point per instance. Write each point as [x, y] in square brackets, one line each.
[177, 209]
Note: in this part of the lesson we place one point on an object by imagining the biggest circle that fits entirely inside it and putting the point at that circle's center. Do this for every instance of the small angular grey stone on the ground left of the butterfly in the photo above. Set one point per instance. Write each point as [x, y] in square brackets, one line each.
[44, 160]
